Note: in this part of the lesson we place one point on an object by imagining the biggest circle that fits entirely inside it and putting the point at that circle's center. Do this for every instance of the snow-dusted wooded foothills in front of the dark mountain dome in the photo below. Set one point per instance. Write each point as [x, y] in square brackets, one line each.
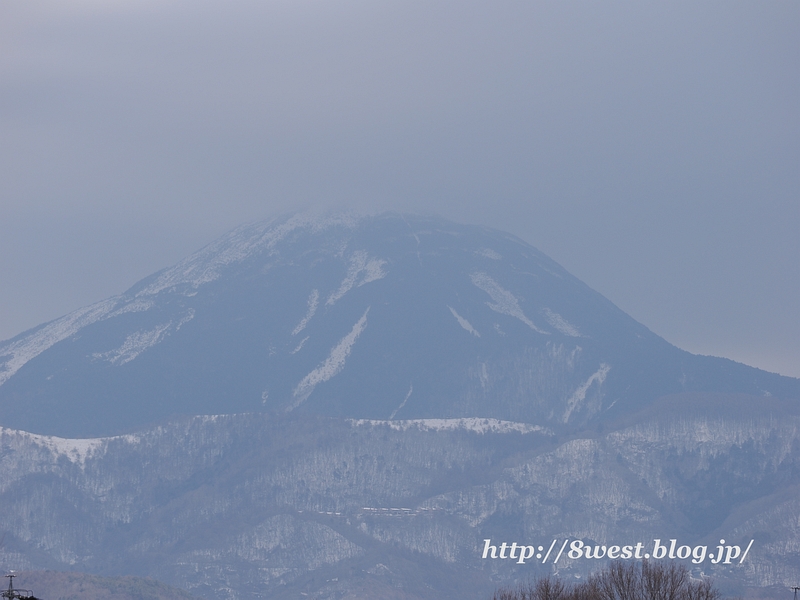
[265, 506]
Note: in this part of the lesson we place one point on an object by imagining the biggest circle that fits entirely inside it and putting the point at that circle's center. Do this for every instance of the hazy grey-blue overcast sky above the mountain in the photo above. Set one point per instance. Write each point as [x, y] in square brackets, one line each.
[651, 148]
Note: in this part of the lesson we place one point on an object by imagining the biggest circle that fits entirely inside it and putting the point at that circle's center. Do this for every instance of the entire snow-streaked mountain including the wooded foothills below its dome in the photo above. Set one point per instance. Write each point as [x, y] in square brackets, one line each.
[330, 406]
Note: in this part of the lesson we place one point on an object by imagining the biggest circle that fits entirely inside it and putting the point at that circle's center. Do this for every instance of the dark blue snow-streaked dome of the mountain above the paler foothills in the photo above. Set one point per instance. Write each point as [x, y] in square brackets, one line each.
[384, 317]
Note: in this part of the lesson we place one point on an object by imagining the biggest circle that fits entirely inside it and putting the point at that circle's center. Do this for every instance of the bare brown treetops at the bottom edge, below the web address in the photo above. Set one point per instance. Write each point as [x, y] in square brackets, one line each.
[619, 581]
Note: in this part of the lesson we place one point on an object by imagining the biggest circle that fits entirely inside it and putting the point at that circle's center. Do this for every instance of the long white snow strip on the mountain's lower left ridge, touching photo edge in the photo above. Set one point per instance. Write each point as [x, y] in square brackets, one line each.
[17, 353]
